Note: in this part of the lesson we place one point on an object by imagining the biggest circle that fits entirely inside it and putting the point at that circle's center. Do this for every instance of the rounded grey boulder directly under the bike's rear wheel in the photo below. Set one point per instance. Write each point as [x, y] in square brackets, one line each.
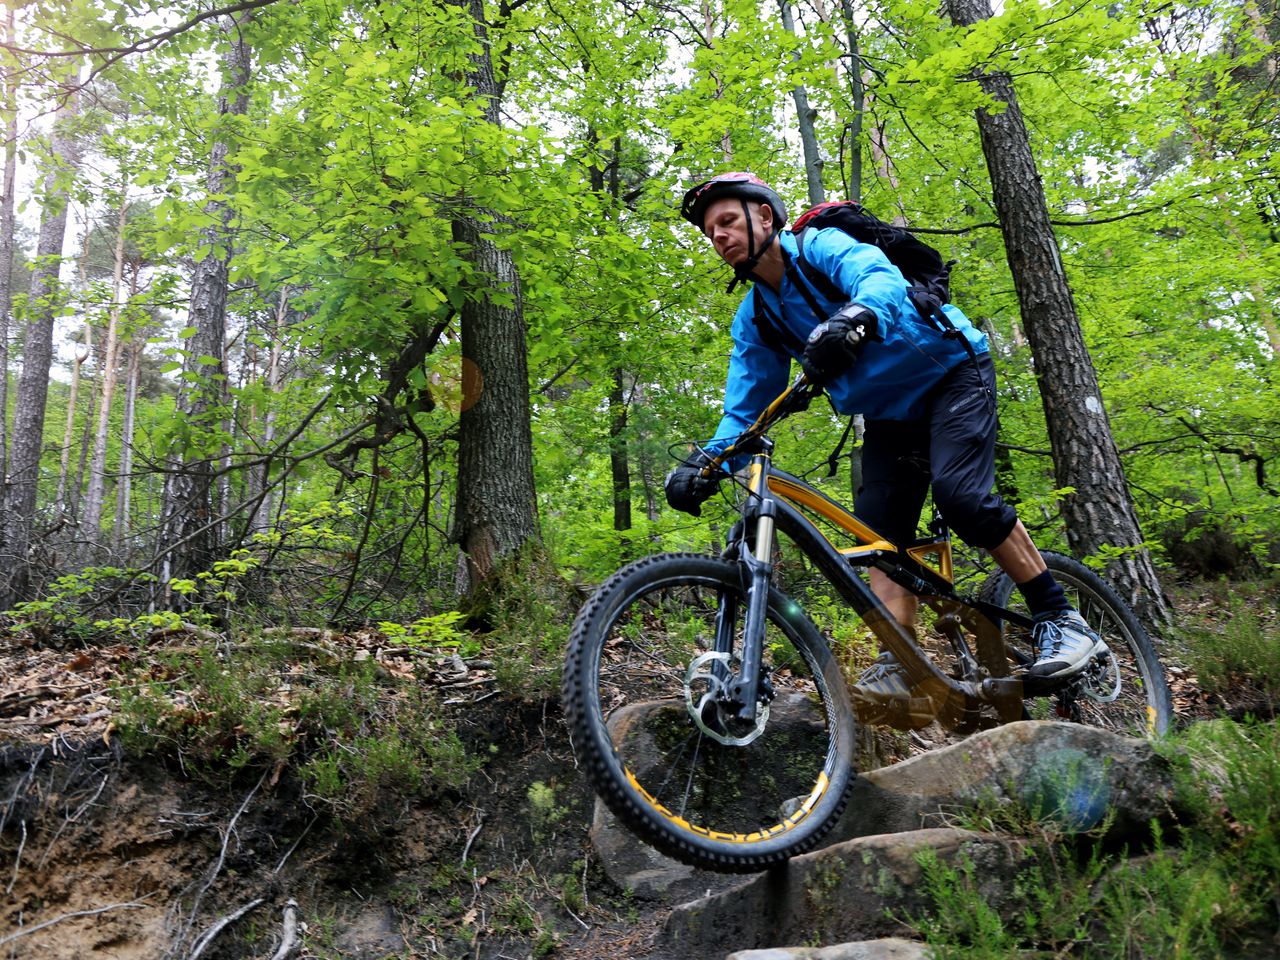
[1075, 776]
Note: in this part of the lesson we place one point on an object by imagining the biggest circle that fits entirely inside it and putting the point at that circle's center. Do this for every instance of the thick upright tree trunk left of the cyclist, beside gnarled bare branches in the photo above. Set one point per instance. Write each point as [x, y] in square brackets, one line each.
[497, 504]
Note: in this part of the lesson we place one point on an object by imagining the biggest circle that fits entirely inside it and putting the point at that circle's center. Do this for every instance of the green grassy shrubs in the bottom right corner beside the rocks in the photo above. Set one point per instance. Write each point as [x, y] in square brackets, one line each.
[1210, 894]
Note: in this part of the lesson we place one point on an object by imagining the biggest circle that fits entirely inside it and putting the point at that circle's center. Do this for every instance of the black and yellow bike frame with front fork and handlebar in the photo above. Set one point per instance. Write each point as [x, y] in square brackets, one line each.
[775, 502]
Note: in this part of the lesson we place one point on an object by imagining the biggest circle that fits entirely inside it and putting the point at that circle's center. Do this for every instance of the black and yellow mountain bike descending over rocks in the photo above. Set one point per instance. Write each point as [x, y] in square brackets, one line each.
[712, 715]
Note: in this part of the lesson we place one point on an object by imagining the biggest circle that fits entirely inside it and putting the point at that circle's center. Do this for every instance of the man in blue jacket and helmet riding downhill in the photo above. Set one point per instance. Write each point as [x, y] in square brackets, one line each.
[929, 401]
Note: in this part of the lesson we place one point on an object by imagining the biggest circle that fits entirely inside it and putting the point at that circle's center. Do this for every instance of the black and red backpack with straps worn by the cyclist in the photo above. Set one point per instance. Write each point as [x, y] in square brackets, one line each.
[927, 275]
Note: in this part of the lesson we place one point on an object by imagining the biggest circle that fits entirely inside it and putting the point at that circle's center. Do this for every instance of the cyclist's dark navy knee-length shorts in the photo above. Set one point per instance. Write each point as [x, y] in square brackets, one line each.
[952, 449]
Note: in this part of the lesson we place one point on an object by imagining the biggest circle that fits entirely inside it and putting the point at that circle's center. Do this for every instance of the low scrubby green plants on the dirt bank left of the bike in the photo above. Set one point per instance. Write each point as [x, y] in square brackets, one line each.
[356, 739]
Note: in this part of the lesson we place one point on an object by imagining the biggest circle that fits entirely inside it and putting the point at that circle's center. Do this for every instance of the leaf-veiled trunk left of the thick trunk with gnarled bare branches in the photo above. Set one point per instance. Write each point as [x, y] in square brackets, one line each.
[189, 536]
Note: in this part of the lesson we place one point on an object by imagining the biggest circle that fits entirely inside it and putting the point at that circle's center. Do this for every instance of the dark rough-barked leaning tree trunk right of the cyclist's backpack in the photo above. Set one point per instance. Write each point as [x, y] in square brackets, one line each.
[1100, 514]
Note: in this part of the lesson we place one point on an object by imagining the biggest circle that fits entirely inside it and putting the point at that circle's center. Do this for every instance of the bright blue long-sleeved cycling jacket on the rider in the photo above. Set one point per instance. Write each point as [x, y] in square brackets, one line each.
[892, 377]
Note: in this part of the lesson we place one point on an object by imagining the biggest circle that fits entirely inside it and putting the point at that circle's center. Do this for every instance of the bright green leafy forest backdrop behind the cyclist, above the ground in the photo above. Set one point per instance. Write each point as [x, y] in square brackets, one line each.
[346, 303]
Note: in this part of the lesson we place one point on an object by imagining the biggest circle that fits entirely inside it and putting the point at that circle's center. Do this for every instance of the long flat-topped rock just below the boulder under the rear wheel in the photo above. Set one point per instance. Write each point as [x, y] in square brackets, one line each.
[844, 893]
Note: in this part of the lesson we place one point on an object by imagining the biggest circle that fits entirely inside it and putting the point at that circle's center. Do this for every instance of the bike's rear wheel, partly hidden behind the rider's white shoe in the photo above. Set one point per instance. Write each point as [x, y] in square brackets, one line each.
[1124, 692]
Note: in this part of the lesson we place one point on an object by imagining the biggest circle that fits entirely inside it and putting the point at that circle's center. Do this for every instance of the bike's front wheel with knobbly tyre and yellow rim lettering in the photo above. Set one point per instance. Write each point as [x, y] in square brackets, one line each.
[646, 692]
